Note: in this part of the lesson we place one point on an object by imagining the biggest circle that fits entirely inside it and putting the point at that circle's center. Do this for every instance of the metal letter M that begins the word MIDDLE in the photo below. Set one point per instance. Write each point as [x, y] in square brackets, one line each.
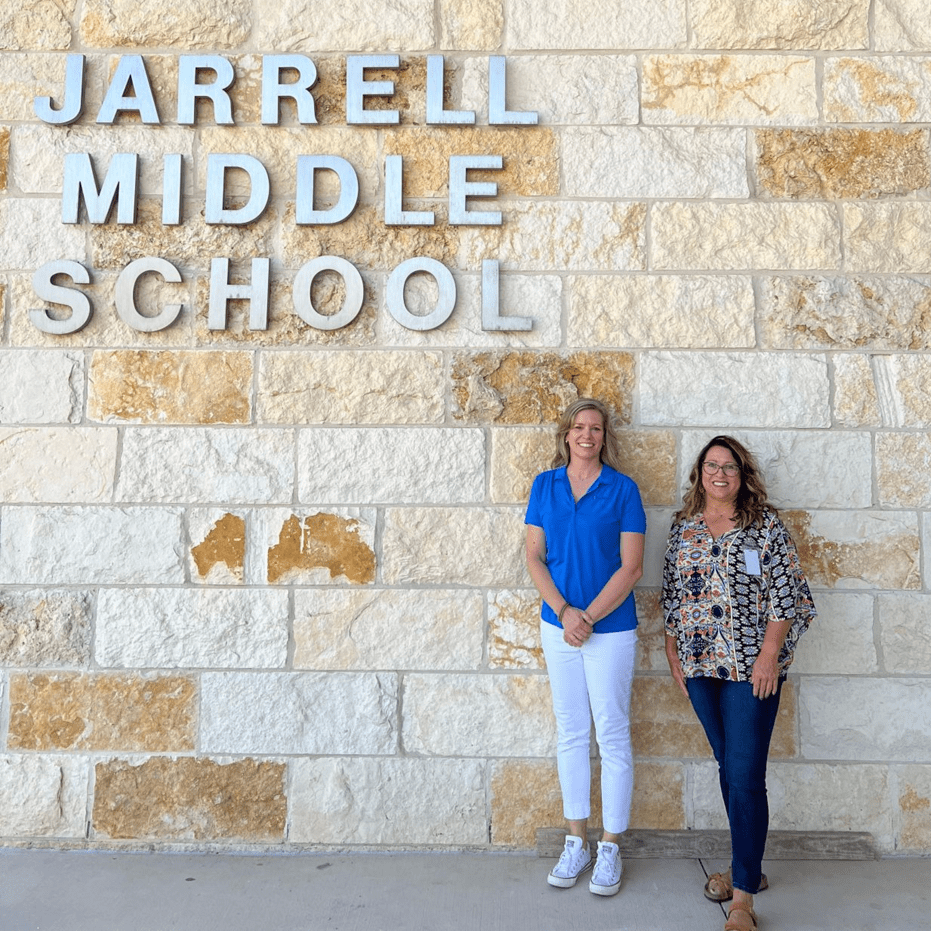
[80, 184]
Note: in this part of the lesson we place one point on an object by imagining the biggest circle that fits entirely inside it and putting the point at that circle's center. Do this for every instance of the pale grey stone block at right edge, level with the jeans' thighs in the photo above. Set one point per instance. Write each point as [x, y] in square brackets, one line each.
[848, 719]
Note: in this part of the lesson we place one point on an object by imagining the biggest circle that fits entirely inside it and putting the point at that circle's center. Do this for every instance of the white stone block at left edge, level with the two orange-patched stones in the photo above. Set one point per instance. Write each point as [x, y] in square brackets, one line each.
[90, 546]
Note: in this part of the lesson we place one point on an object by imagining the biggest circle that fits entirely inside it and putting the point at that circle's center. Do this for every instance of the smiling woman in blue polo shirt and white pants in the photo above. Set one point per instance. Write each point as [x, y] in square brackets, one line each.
[585, 527]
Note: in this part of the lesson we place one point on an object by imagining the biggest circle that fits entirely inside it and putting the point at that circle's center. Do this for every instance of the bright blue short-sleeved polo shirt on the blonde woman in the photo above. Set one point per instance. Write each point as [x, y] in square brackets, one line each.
[583, 539]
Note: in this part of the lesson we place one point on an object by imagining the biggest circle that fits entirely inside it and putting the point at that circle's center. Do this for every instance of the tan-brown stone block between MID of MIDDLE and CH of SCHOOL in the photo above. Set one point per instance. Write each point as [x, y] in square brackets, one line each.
[190, 245]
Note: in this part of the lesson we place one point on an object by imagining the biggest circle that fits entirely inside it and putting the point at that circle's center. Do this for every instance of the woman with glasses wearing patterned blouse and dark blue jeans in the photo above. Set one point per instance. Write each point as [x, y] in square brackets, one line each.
[735, 602]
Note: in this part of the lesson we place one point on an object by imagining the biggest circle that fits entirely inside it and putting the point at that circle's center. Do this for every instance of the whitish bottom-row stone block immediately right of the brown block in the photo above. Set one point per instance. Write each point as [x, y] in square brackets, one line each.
[370, 801]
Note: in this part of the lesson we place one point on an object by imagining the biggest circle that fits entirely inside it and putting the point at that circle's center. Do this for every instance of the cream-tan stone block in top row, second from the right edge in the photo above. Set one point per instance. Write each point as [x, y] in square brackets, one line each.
[782, 24]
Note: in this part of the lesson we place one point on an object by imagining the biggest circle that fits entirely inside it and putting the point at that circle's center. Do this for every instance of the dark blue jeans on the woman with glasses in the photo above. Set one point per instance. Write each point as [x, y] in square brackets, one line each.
[739, 728]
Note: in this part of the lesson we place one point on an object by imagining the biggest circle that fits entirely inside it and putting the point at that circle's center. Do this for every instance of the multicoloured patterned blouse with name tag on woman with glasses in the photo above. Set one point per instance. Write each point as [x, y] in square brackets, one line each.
[719, 595]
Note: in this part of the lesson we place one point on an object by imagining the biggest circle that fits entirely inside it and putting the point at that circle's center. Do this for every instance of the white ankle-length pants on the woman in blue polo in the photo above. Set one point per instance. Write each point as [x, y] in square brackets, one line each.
[593, 681]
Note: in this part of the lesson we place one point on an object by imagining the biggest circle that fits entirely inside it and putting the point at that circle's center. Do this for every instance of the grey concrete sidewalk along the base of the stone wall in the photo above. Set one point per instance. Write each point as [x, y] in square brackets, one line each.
[49, 890]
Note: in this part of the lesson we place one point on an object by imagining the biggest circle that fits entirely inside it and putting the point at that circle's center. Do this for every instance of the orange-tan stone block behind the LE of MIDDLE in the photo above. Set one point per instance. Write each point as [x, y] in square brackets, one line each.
[530, 153]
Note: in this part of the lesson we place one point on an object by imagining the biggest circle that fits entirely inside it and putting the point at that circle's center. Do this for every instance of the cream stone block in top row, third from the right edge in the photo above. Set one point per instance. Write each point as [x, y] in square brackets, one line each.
[567, 25]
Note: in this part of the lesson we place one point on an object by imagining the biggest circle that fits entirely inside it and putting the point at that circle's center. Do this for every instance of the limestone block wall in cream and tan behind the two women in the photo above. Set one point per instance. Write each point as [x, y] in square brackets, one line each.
[264, 585]
